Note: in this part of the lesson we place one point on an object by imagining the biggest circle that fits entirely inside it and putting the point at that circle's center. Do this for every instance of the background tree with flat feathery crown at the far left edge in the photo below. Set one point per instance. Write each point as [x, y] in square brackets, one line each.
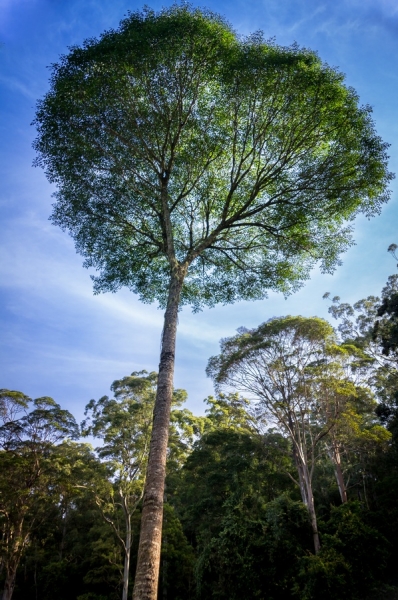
[28, 431]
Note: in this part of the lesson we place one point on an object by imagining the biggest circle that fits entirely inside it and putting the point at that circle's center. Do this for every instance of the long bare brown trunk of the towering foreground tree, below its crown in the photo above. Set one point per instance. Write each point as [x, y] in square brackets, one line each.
[148, 562]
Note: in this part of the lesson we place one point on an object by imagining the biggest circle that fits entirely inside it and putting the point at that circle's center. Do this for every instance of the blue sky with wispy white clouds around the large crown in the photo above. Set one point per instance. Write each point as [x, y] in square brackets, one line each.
[58, 339]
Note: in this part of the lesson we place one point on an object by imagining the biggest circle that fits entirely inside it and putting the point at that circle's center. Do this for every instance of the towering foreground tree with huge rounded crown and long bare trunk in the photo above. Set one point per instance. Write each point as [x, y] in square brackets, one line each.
[195, 166]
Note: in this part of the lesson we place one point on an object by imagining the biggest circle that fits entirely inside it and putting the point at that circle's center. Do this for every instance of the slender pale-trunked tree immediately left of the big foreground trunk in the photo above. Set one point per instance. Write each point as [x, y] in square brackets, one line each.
[124, 424]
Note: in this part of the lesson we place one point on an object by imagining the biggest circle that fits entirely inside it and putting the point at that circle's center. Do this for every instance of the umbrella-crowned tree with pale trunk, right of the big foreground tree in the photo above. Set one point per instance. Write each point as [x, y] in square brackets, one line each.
[275, 364]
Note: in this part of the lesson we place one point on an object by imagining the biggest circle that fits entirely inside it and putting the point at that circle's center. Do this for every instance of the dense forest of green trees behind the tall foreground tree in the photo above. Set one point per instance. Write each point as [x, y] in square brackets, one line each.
[315, 436]
